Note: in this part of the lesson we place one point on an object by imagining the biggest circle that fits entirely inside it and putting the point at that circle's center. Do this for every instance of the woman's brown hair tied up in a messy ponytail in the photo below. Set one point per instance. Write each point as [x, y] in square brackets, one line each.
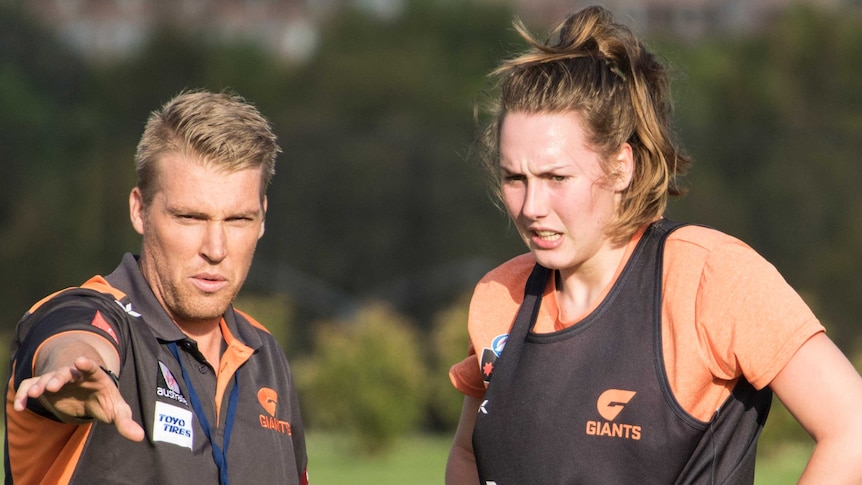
[598, 69]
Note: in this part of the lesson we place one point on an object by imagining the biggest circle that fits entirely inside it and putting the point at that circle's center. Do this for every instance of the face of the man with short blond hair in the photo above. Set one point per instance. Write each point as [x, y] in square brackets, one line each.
[199, 235]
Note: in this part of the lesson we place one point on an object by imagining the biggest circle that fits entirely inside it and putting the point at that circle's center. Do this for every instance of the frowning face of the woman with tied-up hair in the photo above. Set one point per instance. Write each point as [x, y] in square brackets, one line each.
[556, 191]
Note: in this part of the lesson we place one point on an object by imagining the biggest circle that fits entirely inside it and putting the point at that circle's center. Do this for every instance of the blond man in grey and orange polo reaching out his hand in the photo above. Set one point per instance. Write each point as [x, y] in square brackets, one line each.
[149, 375]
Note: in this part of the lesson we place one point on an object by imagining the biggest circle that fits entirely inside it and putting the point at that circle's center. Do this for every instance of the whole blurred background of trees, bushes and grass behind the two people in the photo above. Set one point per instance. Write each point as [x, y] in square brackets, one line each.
[380, 221]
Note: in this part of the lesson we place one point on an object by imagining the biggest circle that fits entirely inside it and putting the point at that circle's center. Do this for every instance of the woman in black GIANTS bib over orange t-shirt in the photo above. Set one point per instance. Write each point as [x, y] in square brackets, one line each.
[625, 348]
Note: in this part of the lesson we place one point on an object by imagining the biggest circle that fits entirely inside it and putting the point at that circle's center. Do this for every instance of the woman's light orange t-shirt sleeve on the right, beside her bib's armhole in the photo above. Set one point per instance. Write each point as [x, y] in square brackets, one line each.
[727, 313]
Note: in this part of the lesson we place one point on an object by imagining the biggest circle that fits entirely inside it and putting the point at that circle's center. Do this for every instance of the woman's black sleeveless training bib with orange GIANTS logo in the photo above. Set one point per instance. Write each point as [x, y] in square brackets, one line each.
[591, 404]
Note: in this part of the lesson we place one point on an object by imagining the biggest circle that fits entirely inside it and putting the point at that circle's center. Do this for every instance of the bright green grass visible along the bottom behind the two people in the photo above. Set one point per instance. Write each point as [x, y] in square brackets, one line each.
[421, 460]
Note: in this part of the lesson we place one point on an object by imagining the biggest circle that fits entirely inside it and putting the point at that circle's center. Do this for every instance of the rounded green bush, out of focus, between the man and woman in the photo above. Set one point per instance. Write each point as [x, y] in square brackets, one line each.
[366, 376]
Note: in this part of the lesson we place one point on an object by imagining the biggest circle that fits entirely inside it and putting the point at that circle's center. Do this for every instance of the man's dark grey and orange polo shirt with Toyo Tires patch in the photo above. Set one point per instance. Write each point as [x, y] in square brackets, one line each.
[267, 443]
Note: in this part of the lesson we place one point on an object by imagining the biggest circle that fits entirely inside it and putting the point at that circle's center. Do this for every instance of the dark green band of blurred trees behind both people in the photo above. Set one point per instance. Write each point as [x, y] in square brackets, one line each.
[375, 196]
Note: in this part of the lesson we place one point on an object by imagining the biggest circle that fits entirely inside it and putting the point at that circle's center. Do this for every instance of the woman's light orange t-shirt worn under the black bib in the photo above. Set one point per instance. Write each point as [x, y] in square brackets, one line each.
[726, 312]
